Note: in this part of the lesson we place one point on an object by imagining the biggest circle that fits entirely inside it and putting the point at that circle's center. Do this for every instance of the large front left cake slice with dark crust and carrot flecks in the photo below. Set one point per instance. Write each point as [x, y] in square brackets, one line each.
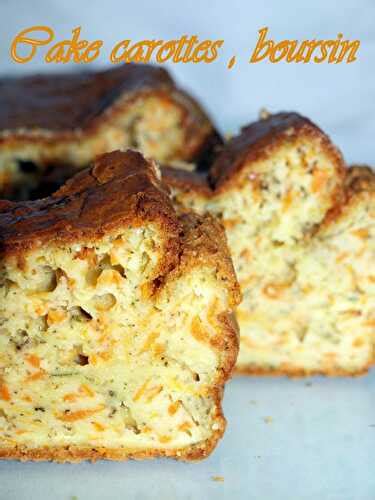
[116, 328]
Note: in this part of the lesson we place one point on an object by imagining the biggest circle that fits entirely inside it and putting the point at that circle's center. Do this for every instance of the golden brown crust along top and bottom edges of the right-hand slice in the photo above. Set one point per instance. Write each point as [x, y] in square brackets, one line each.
[257, 142]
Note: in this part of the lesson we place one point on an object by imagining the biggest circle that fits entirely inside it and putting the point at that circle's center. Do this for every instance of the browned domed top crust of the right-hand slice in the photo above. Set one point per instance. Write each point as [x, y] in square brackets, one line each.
[259, 139]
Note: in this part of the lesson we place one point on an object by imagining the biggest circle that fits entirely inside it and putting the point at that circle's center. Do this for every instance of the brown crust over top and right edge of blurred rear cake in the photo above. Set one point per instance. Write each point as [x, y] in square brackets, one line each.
[52, 108]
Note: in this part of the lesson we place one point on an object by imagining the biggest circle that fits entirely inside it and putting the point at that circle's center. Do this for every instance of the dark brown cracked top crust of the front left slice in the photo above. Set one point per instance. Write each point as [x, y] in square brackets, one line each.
[121, 187]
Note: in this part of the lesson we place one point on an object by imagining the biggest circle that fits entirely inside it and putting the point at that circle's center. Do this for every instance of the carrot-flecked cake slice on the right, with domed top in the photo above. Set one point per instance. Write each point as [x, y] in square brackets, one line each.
[300, 228]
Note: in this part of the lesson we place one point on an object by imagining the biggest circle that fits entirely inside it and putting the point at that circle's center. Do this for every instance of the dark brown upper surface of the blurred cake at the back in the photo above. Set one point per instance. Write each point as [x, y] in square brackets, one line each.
[60, 102]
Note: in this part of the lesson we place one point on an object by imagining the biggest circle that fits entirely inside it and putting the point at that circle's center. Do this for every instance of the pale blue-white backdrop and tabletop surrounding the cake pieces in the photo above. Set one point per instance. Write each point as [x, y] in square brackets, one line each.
[321, 441]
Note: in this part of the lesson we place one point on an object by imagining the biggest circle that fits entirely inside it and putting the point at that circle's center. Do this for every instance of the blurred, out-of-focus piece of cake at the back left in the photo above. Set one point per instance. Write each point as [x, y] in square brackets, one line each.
[52, 124]
